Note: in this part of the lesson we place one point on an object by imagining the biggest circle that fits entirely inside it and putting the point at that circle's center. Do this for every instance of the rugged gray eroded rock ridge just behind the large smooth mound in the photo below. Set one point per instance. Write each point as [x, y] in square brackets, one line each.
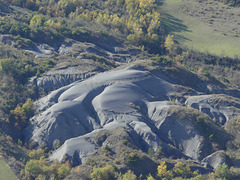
[83, 65]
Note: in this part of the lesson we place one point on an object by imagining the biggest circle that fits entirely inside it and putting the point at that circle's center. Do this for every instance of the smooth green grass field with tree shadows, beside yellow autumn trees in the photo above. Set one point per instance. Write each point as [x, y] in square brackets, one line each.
[196, 34]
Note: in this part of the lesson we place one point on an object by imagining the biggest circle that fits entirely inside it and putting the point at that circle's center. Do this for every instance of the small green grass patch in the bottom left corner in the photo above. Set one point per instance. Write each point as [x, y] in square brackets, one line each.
[5, 172]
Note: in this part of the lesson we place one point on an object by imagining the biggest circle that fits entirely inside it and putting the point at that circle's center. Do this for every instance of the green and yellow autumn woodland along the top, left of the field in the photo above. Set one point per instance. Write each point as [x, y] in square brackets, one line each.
[138, 21]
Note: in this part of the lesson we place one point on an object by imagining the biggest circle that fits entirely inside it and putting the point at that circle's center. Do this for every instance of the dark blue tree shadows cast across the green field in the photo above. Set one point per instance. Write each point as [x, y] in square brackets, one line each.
[173, 24]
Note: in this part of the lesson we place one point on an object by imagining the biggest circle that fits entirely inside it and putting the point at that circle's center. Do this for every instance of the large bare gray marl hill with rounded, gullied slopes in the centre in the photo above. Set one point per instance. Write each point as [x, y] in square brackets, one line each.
[158, 106]
